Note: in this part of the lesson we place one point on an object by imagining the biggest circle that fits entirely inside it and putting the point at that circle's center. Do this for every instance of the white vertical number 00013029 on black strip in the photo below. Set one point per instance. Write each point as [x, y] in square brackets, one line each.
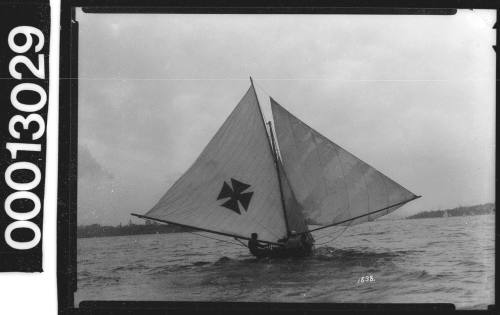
[32, 38]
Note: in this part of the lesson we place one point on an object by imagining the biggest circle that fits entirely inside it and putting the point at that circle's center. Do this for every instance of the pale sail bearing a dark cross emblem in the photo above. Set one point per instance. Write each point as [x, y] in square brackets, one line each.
[233, 185]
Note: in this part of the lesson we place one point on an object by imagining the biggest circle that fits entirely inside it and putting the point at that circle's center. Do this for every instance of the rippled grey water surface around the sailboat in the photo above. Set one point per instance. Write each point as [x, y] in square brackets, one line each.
[445, 260]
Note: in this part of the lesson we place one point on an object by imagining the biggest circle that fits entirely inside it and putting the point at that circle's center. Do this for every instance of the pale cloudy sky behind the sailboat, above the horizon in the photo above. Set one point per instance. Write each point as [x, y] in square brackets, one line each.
[413, 96]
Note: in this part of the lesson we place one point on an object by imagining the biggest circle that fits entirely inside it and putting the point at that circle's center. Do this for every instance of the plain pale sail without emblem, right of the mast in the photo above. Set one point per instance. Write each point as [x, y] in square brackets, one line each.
[331, 184]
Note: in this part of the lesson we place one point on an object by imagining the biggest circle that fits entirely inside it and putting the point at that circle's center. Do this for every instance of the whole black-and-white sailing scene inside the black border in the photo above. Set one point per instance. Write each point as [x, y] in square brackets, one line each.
[286, 158]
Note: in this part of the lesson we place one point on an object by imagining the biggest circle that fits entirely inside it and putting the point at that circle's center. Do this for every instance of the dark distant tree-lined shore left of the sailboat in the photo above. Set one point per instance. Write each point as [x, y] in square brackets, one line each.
[151, 227]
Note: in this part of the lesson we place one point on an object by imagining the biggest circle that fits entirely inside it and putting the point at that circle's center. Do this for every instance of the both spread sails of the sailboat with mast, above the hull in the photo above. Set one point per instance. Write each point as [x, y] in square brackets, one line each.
[275, 178]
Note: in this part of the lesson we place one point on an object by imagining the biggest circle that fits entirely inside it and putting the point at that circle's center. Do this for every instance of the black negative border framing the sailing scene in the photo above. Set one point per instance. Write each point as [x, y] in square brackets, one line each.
[68, 120]
